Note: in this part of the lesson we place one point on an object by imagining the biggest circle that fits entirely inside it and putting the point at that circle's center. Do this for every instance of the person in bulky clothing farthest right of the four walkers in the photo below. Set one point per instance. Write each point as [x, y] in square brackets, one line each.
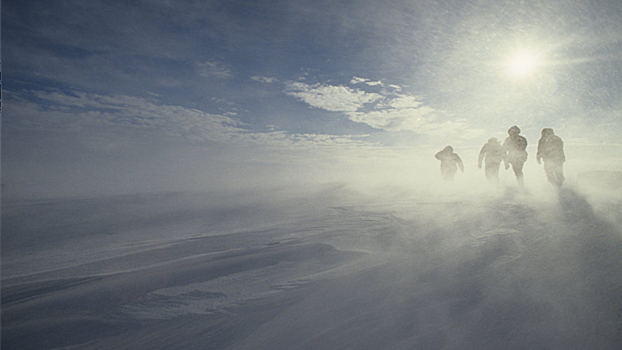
[551, 150]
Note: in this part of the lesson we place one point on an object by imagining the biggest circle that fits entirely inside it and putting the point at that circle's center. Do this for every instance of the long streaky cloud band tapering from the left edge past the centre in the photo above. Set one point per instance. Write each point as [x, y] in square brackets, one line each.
[96, 115]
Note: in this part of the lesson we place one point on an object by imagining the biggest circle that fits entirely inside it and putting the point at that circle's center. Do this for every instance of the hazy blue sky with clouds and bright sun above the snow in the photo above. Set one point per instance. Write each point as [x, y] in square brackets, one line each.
[119, 96]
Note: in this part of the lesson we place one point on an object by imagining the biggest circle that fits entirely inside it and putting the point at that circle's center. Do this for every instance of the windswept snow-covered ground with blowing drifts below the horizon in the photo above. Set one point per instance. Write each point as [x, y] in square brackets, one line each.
[314, 269]
